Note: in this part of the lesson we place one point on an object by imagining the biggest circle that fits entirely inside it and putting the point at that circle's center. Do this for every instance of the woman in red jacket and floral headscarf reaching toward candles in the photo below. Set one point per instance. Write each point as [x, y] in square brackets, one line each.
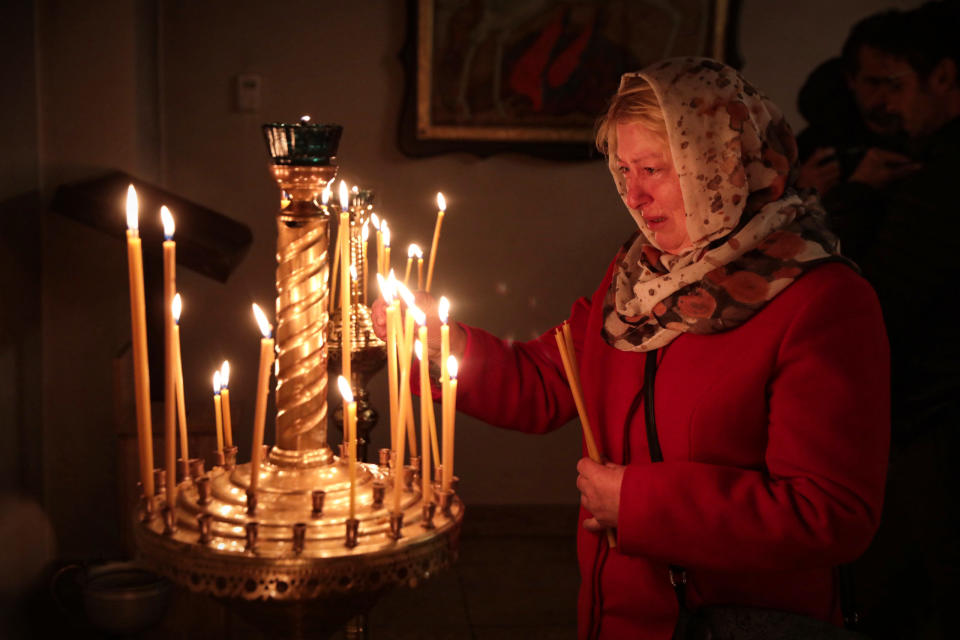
[769, 356]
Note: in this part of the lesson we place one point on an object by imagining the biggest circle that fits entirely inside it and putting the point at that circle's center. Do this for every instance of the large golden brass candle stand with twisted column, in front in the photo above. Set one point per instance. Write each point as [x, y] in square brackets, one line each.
[289, 554]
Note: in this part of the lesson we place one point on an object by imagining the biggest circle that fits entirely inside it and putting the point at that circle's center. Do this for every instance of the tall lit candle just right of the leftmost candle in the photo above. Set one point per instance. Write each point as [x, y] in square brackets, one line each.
[170, 381]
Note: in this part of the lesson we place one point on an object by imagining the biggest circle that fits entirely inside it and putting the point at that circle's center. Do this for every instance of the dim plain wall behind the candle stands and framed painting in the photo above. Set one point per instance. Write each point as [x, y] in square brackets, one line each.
[145, 86]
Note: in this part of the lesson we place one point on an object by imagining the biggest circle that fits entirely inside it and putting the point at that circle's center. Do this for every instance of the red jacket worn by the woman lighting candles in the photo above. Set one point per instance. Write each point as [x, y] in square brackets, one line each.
[774, 437]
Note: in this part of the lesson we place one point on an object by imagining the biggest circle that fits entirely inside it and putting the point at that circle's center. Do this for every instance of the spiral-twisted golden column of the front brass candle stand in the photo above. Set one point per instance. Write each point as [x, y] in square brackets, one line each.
[303, 265]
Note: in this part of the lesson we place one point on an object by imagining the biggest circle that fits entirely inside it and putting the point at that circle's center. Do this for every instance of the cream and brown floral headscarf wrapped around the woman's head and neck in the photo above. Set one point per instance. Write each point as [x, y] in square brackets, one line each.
[752, 234]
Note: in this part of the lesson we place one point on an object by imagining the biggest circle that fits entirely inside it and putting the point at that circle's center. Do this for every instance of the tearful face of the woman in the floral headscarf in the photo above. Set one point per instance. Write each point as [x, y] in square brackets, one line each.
[652, 186]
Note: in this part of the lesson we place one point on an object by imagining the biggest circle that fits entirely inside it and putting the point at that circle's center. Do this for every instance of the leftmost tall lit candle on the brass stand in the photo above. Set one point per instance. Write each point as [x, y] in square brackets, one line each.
[138, 323]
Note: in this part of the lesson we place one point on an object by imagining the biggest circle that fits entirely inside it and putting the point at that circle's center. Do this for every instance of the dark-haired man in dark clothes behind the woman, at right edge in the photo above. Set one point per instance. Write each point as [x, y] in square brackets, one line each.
[900, 221]
